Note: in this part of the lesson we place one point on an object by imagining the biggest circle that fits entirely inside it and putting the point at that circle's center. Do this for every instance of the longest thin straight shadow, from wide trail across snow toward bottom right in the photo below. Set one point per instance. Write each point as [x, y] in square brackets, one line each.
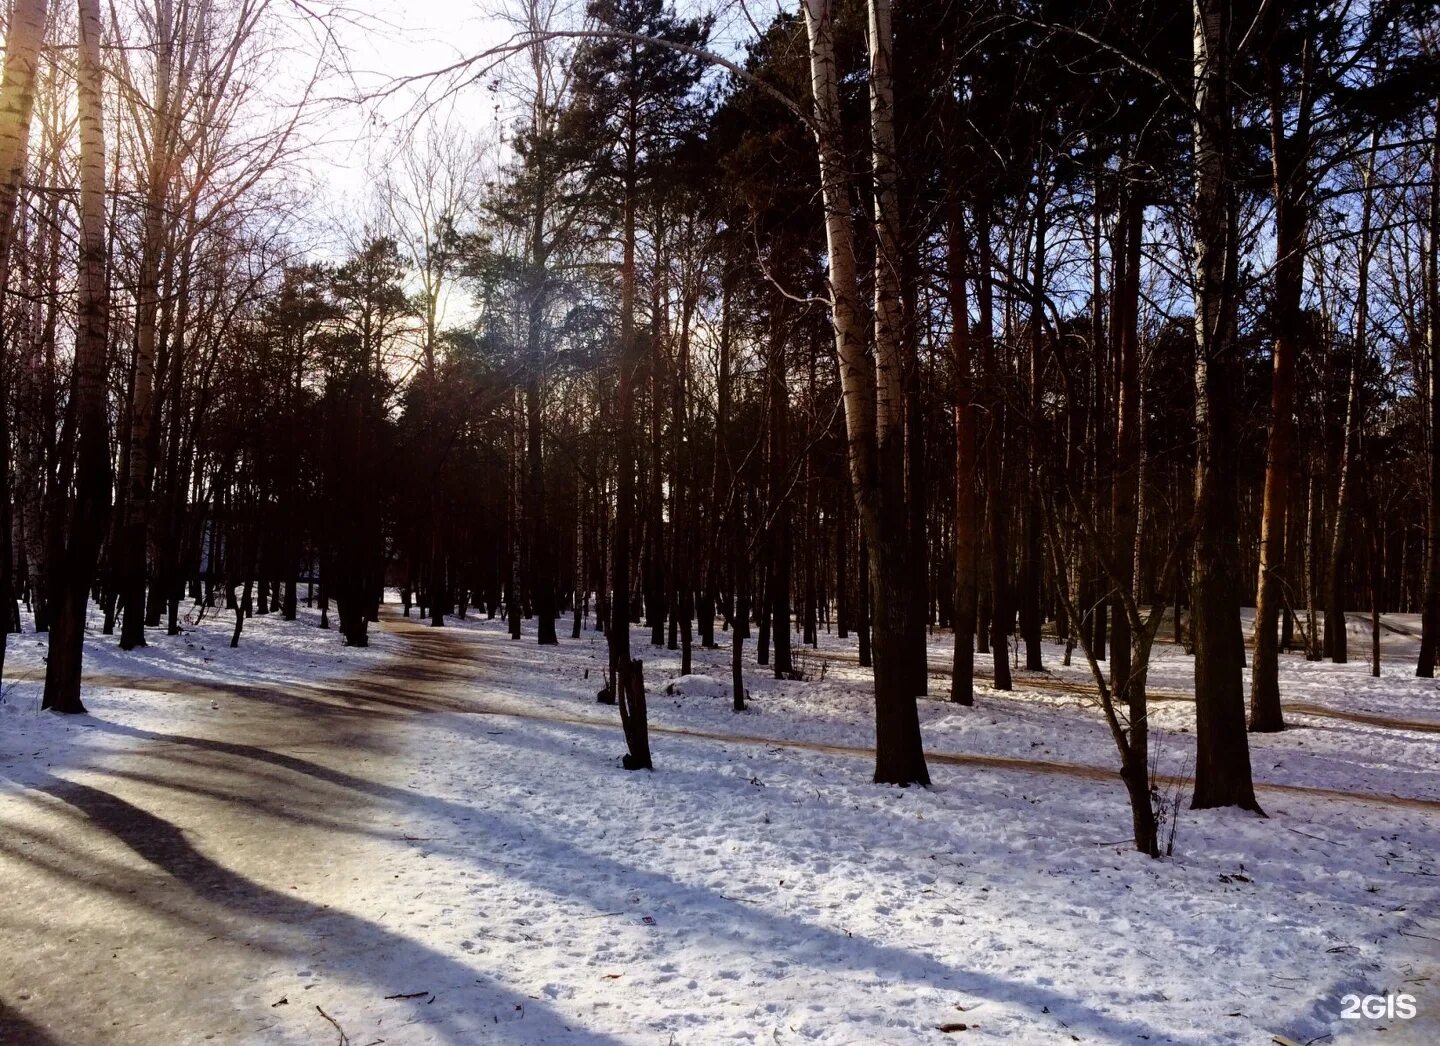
[822, 944]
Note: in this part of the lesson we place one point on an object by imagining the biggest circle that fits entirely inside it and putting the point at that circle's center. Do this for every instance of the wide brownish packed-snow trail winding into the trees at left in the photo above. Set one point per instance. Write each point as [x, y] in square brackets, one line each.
[146, 895]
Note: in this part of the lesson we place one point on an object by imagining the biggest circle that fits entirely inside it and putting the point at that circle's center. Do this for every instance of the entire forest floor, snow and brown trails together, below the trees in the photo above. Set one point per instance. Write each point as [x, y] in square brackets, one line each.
[431, 842]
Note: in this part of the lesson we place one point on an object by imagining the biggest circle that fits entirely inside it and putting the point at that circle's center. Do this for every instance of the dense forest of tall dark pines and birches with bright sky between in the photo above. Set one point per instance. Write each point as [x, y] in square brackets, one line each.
[1059, 335]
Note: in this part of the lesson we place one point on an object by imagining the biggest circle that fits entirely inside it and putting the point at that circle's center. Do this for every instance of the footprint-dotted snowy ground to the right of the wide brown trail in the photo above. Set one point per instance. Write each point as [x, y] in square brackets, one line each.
[751, 891]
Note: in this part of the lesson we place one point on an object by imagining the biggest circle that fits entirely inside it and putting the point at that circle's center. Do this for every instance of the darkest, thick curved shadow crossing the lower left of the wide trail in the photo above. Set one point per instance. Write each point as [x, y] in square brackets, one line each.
[402, 960]
